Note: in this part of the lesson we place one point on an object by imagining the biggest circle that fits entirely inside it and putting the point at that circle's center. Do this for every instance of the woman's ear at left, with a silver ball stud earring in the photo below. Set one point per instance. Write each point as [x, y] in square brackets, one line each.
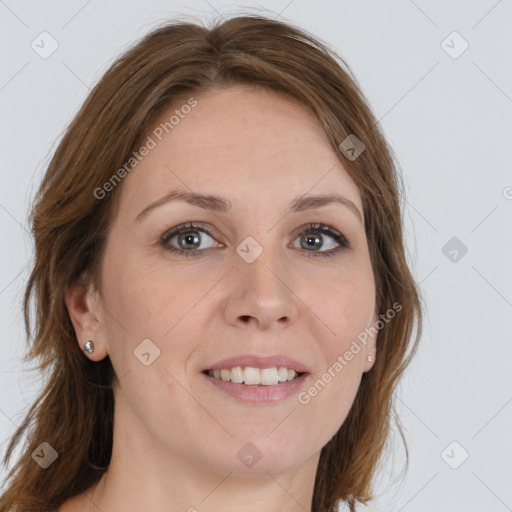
[87, 316]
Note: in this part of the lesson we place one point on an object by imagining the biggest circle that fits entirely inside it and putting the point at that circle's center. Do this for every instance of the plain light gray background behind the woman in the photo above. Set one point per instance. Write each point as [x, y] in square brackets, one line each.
[449, 121]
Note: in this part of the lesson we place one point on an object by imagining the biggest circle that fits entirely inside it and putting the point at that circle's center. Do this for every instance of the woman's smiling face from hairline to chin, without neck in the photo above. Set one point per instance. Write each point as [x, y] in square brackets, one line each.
[241, 284]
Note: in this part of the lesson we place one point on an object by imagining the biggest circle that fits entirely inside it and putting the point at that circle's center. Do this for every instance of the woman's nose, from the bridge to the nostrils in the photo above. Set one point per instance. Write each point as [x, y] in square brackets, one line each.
[261, 295]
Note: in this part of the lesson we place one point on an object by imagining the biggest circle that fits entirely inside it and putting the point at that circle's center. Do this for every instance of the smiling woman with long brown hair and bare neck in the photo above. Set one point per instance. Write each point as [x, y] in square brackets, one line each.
[223, 299]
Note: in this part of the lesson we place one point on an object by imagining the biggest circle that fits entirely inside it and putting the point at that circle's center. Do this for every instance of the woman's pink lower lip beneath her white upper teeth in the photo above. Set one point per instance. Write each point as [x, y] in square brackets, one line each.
[258, 394]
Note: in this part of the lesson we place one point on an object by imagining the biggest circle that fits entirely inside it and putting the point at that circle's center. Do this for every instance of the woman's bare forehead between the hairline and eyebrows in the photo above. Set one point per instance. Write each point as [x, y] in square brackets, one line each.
[251, 145]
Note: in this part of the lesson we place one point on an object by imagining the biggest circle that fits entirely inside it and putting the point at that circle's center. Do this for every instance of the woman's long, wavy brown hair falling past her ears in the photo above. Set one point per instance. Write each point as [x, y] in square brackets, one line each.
[74, 413]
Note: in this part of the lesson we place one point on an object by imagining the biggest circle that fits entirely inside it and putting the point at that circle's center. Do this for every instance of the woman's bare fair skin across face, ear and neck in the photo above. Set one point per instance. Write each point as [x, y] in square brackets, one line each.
[176, 438]
